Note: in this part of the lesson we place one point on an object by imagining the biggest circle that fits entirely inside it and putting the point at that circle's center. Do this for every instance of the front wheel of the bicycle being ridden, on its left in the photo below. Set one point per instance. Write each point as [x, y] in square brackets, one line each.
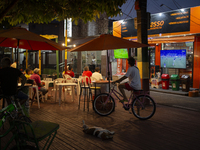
[102, 108]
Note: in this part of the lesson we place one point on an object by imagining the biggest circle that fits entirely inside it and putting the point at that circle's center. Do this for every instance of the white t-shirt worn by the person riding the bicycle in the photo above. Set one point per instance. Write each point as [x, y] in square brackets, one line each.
[134, 77]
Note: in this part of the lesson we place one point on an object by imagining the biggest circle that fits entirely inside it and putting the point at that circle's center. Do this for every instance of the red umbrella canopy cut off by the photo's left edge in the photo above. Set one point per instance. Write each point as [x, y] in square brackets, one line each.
[18, 37]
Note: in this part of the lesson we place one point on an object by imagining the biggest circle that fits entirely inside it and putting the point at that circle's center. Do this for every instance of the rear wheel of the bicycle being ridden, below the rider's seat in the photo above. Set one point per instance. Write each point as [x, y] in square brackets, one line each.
[143, 107]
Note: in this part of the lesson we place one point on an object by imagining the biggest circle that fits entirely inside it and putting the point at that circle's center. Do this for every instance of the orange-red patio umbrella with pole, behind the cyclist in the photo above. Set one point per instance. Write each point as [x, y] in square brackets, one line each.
[106, 42]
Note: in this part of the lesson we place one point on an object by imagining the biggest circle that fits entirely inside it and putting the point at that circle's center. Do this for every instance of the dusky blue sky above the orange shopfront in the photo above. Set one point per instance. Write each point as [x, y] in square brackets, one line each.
[153, 6]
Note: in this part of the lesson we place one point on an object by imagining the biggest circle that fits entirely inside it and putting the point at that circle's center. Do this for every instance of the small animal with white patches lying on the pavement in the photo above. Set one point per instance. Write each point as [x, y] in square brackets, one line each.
[104, 134]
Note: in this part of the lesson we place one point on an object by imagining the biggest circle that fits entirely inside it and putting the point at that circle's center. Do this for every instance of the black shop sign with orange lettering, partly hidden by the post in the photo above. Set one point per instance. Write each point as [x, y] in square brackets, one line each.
[168, 22]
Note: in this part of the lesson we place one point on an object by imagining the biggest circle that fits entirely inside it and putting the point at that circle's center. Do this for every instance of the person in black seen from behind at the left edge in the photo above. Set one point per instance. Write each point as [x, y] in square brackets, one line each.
[9, 77]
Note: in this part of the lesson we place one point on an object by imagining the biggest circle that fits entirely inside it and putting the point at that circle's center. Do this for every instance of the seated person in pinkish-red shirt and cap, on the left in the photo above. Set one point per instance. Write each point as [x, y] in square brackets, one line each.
[37, 80]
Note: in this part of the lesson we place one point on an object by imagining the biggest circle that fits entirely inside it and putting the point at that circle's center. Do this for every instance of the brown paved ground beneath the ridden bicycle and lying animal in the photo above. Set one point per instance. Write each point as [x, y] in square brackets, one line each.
[159, 132]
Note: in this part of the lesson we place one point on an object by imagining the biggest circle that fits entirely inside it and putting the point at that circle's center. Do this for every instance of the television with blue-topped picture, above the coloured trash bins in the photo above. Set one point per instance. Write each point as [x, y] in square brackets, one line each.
[173, 58]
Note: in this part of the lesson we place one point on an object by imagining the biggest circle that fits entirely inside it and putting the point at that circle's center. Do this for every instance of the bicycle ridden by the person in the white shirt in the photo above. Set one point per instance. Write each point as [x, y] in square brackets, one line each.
[142, 104]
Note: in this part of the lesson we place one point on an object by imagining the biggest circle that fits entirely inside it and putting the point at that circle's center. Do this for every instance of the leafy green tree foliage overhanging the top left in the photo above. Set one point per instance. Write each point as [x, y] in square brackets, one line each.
[44, 11]
